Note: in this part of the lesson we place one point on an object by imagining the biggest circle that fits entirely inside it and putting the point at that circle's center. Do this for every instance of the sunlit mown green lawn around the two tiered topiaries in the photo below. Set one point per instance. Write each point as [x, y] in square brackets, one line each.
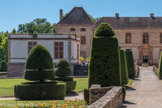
[7, 85]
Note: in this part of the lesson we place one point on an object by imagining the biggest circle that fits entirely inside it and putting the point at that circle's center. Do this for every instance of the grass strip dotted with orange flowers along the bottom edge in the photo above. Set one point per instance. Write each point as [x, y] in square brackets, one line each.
[43, 103]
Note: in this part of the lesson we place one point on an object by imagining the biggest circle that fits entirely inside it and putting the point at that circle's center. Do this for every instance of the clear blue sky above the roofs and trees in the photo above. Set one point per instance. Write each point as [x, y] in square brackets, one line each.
[15, 12]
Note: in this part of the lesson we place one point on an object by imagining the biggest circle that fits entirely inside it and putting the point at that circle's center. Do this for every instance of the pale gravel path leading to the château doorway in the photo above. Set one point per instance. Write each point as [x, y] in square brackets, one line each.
[146, 92]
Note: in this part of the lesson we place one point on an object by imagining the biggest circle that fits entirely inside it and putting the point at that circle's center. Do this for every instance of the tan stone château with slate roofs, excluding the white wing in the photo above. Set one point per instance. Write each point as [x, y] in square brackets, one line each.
[142, 52]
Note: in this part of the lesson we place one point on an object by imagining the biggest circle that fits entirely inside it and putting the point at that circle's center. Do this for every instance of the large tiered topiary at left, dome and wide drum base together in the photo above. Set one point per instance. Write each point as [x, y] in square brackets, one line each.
[39, 68]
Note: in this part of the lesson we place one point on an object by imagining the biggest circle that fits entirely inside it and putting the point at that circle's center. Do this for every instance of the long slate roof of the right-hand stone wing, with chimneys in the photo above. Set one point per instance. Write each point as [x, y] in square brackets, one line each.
[133, 22]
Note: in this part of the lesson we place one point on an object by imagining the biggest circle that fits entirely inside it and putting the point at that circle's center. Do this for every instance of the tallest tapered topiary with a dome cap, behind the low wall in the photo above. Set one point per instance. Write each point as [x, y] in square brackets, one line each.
[104, 68]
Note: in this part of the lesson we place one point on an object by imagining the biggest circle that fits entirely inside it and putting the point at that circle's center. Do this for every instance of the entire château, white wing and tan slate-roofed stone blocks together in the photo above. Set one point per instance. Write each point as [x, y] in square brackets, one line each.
[143, 35]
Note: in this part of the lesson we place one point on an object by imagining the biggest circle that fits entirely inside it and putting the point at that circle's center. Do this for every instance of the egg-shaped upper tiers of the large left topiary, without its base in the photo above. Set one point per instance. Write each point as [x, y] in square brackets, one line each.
[39, 64]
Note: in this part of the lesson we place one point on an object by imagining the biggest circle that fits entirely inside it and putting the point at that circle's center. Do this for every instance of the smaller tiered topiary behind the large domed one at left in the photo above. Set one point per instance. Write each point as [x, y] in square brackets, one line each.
[63, 73]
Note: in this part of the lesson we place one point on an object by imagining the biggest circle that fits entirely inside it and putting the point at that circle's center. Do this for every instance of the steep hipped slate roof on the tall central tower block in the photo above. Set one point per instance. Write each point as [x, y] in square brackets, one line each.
[77, 16]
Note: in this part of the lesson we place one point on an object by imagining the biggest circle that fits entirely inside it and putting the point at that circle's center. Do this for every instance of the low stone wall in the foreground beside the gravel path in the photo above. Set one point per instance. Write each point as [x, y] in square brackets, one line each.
[106, 97]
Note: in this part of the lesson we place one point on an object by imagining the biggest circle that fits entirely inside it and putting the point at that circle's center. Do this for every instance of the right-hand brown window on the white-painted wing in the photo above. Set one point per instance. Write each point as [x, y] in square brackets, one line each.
[59, 50]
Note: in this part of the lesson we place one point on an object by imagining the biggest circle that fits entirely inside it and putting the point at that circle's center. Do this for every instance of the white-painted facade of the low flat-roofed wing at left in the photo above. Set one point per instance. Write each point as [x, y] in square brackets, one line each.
[18, 47]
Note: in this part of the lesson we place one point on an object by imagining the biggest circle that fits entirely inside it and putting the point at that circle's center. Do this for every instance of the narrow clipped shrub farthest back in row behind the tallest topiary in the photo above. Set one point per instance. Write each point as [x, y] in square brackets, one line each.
[130, 64]
